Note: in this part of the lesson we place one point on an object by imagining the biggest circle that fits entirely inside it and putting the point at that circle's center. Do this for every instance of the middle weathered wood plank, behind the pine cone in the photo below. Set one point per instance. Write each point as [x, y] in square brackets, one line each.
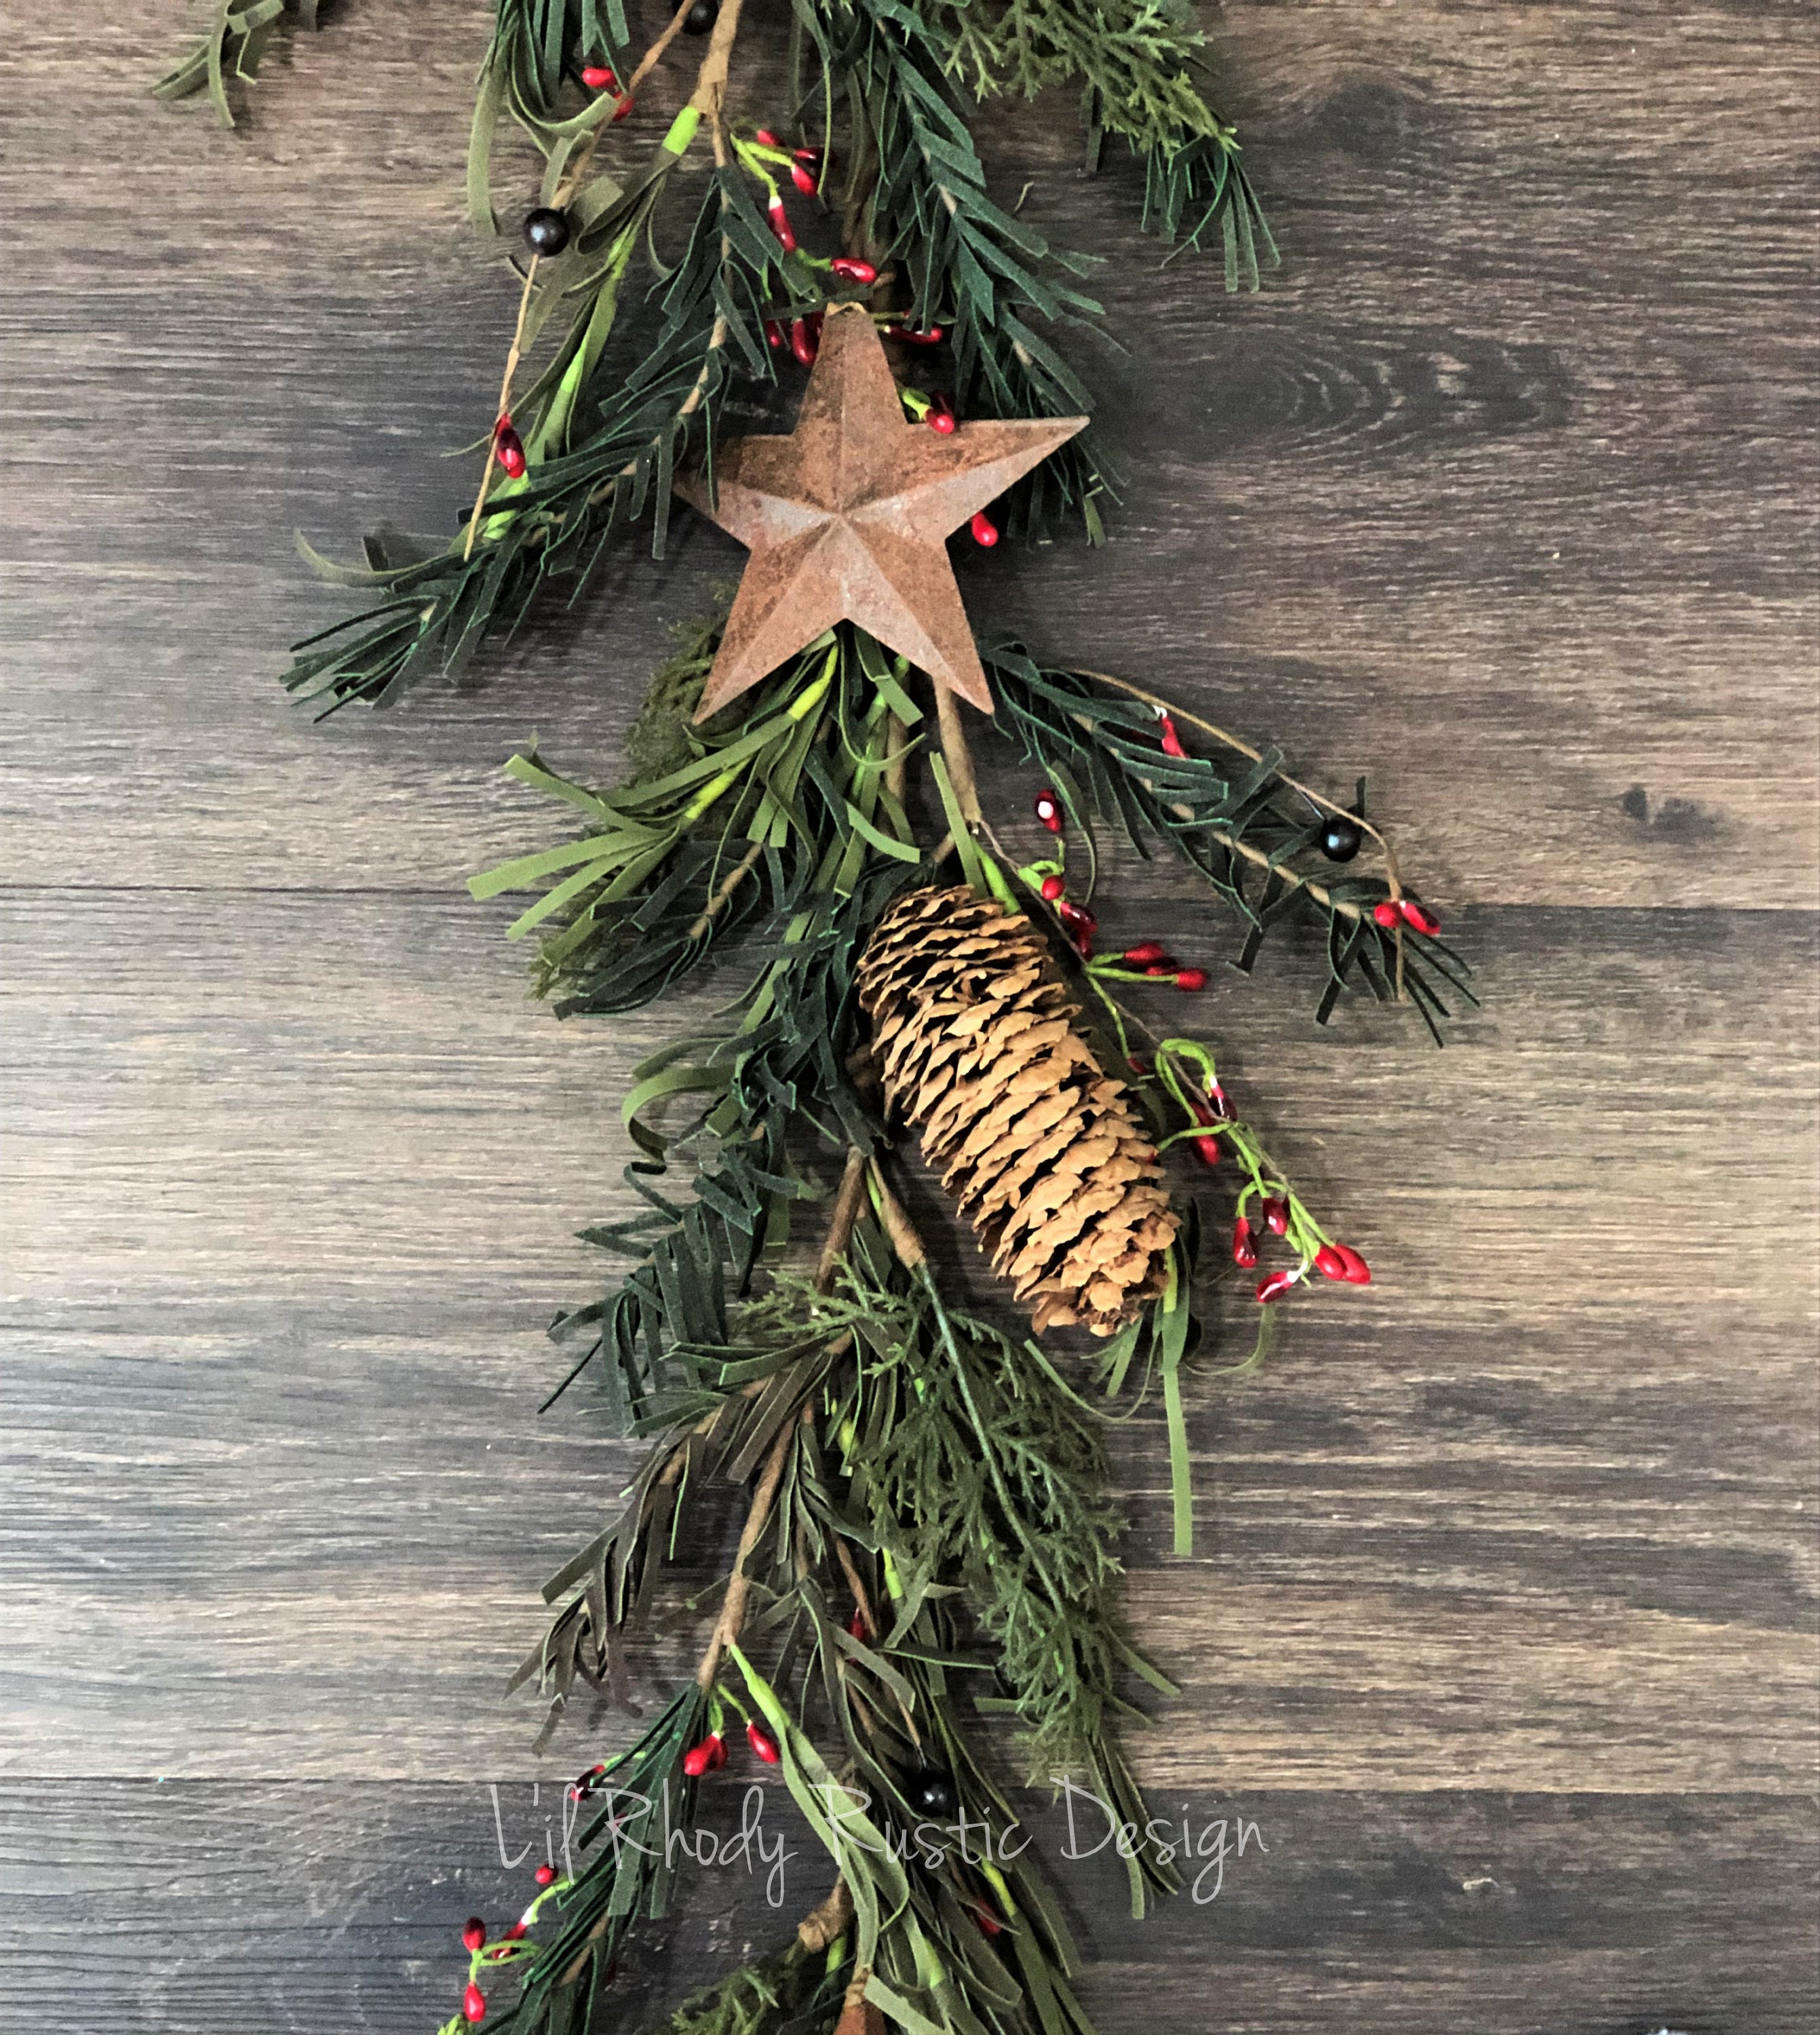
[1497, 1519]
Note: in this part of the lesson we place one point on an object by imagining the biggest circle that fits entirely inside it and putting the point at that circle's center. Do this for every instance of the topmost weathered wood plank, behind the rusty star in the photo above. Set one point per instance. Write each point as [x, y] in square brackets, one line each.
[1501, 487]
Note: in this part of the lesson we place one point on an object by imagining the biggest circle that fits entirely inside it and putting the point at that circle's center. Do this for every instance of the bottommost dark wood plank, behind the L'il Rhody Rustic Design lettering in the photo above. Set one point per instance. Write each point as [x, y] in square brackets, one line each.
[221, 1908]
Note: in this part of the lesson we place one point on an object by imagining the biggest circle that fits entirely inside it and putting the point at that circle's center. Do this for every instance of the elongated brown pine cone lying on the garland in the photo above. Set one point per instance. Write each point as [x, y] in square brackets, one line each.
[1037, 1143]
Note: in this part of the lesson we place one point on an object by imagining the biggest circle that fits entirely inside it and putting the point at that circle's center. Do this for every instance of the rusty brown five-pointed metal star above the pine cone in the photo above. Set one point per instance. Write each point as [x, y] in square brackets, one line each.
[846, 520]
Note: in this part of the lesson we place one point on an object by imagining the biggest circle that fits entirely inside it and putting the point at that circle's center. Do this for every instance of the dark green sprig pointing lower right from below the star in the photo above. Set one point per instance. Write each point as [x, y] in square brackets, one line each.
[1237, 823]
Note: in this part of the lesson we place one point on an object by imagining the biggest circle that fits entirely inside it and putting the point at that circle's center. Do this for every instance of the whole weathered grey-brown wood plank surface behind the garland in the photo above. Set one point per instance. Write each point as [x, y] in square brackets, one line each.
[1503, 491]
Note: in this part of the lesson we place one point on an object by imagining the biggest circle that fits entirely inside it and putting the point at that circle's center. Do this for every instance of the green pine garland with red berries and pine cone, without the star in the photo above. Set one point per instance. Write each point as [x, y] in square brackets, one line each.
[927, 1533]
